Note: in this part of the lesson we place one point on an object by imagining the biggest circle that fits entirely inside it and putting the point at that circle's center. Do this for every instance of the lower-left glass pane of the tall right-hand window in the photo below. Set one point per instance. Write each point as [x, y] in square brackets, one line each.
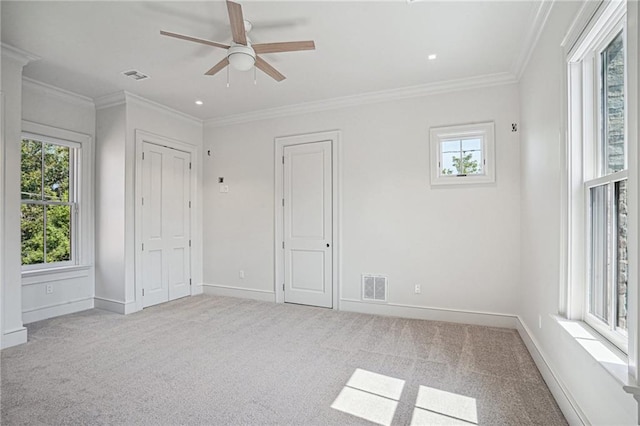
[598, 294]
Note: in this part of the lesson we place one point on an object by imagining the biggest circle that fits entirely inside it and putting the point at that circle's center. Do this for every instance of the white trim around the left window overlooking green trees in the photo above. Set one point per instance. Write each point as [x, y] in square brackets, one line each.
[82, 143]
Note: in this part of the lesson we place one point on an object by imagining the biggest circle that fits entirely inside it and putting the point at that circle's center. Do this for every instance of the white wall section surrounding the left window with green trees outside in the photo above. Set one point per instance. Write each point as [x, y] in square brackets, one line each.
[72, 290]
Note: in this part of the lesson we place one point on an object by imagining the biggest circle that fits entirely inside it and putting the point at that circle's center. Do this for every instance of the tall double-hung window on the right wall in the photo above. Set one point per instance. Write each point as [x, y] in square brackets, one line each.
[598, 122]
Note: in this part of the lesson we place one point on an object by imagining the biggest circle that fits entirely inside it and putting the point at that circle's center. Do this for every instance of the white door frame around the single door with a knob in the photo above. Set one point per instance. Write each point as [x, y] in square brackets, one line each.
[334, 136]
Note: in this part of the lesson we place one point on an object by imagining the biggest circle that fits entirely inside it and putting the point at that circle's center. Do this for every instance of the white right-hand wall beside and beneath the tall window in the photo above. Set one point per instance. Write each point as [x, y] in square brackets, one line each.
[594, 392]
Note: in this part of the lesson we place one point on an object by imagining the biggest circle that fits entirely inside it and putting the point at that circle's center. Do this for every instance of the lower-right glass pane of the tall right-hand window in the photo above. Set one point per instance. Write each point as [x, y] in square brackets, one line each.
[621, 255]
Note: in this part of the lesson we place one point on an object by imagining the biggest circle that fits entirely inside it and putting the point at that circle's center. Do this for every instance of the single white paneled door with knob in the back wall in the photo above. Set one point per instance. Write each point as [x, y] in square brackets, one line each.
[308, 224]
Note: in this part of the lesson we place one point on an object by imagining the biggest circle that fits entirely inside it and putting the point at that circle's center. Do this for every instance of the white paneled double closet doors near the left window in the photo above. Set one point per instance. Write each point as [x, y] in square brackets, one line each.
[166, 225]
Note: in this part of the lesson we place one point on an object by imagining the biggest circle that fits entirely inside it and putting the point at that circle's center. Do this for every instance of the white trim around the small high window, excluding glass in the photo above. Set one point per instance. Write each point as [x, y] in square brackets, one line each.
[438, 135]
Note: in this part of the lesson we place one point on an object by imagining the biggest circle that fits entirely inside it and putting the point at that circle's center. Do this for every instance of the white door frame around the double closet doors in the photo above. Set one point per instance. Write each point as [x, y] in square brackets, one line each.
[142, 136]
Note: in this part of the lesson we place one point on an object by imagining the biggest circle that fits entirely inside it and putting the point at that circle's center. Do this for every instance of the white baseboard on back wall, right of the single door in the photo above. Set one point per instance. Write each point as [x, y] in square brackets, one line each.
[433, 314]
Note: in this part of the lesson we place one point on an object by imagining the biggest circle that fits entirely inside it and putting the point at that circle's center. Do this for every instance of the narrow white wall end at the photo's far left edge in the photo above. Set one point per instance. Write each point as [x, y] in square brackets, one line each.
[13, 332]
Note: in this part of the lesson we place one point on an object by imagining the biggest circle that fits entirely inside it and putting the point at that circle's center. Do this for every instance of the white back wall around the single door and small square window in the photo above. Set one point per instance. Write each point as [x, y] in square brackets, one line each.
[460, 243]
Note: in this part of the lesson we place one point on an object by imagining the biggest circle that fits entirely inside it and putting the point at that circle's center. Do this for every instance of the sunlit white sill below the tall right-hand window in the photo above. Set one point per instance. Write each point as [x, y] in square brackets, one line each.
[603, 352]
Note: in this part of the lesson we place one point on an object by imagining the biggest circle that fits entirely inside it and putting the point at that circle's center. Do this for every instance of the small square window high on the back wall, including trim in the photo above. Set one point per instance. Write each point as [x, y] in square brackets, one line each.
[462, 154]
